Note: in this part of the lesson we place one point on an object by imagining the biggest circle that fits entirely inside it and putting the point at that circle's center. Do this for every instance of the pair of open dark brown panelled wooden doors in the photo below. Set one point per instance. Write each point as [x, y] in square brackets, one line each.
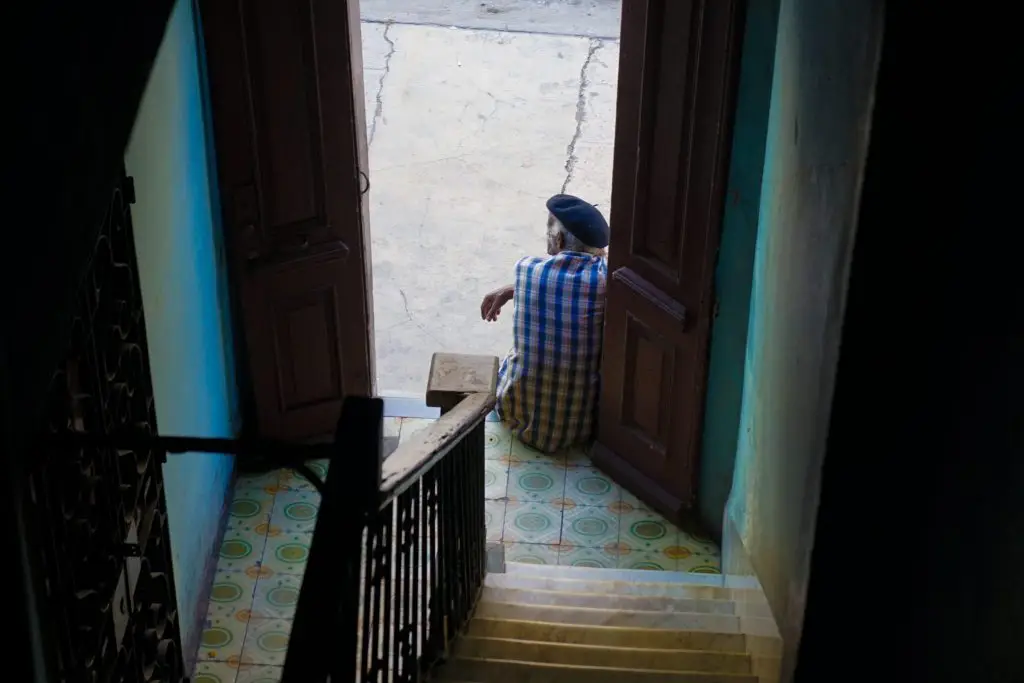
[286, 91]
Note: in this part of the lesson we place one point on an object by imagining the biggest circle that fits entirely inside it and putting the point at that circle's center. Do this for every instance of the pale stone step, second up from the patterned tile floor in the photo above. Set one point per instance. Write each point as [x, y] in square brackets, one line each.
[654, 590]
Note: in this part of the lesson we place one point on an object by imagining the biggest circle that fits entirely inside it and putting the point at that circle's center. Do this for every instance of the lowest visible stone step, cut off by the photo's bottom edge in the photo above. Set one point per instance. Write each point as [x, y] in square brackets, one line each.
[511, 671]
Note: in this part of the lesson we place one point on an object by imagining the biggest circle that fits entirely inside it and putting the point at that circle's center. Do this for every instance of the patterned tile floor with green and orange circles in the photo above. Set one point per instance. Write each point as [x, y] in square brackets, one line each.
[545, 509]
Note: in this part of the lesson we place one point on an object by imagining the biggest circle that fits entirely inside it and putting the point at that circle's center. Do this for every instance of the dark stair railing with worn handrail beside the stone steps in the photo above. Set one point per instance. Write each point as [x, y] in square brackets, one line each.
[399, 554]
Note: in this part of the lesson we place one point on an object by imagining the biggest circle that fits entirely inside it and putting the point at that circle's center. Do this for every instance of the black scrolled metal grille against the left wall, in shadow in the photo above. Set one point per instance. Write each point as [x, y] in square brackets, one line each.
[102, 514]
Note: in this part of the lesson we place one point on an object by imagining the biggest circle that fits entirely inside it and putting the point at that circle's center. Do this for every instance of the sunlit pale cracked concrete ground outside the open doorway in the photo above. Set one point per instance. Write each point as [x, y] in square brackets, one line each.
[471, 132]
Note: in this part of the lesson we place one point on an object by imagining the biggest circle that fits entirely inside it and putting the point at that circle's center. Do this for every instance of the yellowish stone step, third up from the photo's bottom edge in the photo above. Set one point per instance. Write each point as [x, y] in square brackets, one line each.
[607, 636]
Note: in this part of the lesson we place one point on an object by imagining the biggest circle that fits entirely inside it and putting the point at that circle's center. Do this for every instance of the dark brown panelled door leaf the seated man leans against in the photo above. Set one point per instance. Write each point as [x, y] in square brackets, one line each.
[676, 84]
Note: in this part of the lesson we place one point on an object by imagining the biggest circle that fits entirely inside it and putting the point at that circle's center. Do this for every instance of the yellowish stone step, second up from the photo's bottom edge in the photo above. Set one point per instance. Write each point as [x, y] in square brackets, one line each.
[635, 659]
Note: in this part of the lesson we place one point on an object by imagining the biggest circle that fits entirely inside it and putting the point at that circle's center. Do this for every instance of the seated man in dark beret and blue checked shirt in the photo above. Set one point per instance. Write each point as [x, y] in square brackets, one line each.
[548, 383]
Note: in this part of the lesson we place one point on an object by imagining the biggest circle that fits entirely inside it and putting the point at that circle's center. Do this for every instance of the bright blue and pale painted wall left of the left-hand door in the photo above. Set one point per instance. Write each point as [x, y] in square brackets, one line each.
[185, 306]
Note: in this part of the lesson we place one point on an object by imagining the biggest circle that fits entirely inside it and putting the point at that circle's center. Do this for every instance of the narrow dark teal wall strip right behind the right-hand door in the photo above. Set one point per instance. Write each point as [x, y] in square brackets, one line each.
[735, 272]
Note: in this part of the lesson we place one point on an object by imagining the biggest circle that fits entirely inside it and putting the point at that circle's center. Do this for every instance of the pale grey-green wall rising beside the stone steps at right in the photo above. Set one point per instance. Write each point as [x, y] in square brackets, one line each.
[826, 64]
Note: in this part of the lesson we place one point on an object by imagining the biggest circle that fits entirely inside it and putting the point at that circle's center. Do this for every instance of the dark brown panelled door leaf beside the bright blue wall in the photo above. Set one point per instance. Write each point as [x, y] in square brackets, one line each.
[286, 91]
